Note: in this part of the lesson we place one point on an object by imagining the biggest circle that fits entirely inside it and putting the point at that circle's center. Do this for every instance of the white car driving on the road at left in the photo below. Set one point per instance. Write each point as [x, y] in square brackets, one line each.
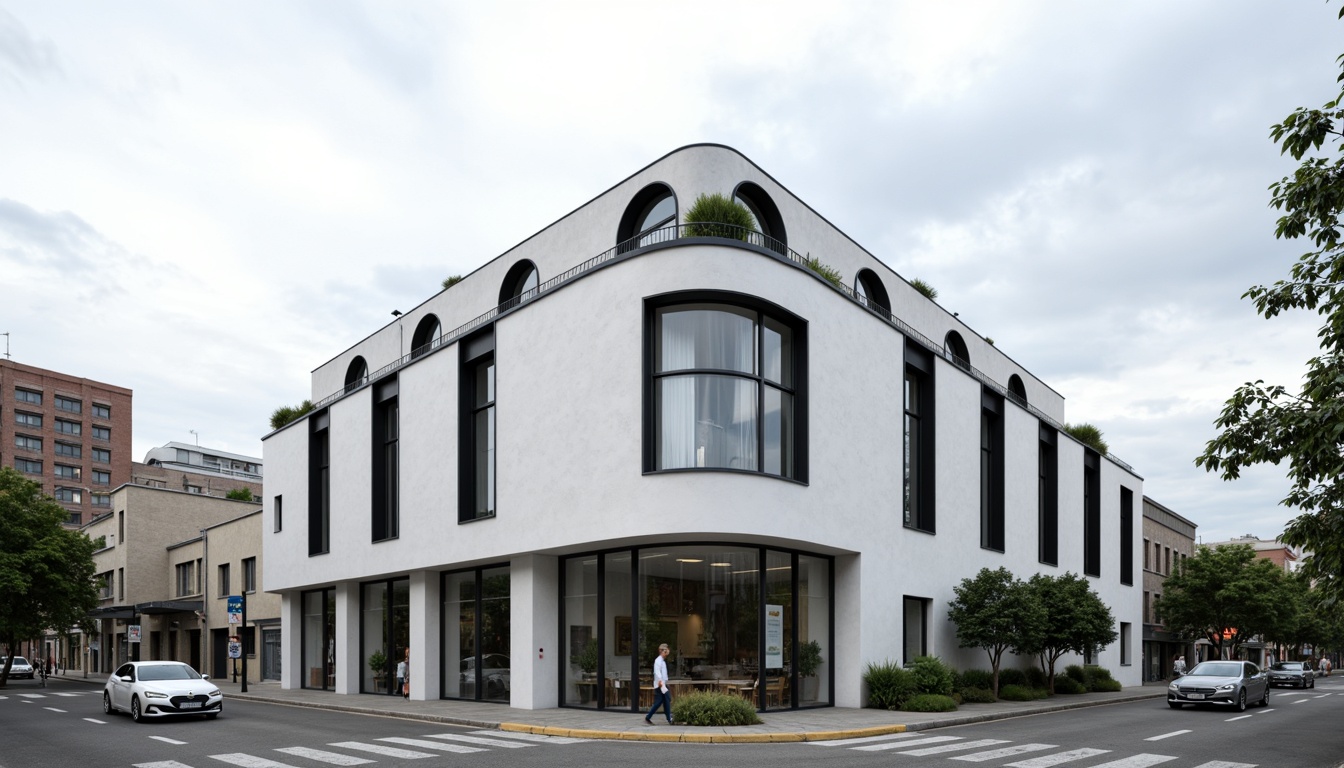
[161, 689]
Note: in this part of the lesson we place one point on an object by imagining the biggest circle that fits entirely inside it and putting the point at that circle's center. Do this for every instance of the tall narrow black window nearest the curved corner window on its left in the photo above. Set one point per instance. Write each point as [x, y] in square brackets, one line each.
[478, 430]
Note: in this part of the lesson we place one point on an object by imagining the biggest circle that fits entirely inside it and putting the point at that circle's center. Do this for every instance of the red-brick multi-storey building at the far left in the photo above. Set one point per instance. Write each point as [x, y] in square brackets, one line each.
[71, 434]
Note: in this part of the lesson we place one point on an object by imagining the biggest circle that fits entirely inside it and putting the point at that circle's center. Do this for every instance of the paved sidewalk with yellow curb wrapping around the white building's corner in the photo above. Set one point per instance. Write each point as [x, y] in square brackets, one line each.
[791, 726]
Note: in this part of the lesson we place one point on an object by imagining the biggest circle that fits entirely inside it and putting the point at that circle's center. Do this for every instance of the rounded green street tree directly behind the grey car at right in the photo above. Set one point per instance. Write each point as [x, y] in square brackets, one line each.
[1225, 595]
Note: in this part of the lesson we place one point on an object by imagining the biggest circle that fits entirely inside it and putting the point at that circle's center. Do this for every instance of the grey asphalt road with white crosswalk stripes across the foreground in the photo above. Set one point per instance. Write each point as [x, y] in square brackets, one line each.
[64, 727]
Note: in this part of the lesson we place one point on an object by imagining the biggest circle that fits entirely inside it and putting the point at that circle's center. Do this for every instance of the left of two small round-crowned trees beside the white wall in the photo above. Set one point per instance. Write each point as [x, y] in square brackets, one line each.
[998, 613]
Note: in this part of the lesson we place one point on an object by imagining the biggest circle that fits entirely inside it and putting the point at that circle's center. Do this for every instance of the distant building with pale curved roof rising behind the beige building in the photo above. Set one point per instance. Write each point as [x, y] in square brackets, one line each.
[198, 470]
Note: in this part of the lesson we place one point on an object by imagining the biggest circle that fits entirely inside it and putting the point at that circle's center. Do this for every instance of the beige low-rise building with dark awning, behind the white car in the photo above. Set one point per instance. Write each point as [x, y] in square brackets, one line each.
[154, 571]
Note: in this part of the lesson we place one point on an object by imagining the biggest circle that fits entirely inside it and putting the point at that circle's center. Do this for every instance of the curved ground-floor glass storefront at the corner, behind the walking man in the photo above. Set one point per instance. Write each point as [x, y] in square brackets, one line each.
[748, 622]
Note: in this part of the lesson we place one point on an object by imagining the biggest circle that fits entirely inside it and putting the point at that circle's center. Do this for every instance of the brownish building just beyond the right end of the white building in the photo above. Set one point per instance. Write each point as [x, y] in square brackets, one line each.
[1169, 540]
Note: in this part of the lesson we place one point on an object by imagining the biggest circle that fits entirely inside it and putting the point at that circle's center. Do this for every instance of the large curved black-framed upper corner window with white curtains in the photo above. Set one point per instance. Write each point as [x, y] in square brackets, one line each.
[726, 387]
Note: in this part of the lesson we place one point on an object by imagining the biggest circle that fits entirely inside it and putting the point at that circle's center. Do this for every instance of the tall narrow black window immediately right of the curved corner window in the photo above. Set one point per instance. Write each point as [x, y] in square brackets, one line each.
[919, 445]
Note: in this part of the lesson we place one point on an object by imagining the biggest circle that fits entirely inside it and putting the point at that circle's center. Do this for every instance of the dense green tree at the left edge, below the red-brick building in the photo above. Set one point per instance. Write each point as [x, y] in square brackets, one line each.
[46, 570]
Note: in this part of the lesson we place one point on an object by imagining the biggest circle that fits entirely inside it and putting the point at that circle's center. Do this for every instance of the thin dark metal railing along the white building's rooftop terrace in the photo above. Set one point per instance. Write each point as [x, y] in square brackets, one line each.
[720, 233]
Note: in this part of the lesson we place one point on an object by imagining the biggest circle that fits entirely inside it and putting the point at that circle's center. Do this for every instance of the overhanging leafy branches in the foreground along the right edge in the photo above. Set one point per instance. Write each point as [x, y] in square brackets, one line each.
[1272, 424]
